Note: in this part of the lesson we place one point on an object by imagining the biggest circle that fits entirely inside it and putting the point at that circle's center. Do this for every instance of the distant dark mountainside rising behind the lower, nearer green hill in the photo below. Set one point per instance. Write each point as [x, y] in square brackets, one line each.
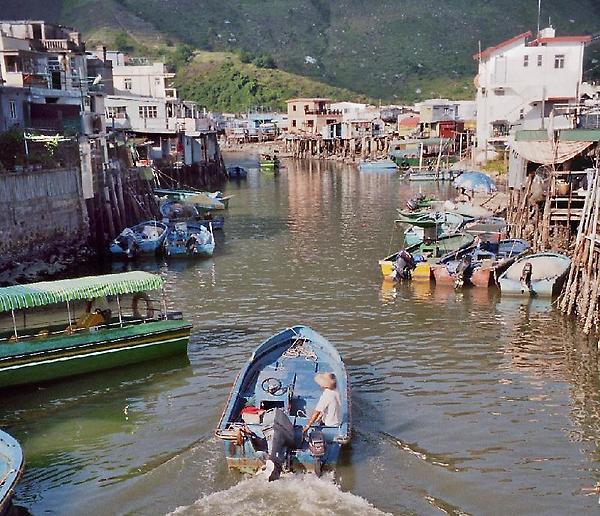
[402, 50]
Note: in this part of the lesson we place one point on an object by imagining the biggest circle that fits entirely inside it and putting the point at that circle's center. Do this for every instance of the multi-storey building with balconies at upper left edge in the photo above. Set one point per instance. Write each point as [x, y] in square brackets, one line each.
[44, 77]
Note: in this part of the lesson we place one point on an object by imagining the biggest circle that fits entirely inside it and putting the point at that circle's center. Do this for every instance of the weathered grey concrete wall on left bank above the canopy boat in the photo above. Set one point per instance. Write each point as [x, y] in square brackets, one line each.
[43, 211]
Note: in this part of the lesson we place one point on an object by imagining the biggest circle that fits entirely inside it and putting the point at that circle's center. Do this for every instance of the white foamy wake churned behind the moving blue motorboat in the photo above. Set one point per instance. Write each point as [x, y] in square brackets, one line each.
[300, 494]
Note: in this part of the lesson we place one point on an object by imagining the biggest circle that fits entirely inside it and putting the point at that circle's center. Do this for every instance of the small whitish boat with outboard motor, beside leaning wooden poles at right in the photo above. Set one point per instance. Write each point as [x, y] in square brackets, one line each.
[540, 274]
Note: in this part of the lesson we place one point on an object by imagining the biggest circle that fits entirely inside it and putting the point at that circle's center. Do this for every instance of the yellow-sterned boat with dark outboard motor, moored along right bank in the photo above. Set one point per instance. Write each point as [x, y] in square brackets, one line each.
[427, 253]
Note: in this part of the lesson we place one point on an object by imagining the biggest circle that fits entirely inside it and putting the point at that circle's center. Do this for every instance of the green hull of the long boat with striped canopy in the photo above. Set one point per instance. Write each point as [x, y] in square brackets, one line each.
[32, 361]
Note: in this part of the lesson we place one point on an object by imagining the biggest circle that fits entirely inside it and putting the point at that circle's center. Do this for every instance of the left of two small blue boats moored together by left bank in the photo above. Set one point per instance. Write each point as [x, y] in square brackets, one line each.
[146, 238]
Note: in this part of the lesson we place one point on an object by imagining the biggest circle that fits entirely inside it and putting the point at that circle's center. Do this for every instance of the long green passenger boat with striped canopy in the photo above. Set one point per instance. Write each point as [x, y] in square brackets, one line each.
[54, 329]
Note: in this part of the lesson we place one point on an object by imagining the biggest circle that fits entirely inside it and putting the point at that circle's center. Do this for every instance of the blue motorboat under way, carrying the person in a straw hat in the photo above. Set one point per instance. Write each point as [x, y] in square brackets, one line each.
[272, 400]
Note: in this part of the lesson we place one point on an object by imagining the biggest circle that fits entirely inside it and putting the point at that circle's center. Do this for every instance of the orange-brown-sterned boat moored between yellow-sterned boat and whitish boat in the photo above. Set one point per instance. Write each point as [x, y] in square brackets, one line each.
[486, 262]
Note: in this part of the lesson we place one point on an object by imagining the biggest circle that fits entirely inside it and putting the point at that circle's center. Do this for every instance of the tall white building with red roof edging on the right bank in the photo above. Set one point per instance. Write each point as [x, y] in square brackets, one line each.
[520, 80]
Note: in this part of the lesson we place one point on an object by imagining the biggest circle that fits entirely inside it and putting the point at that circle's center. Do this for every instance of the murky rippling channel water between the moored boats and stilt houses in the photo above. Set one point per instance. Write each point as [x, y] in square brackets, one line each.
[464, 402]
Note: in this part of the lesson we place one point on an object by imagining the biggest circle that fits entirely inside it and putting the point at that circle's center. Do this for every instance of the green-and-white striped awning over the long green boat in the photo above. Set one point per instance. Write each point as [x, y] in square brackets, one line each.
[90, 287]
